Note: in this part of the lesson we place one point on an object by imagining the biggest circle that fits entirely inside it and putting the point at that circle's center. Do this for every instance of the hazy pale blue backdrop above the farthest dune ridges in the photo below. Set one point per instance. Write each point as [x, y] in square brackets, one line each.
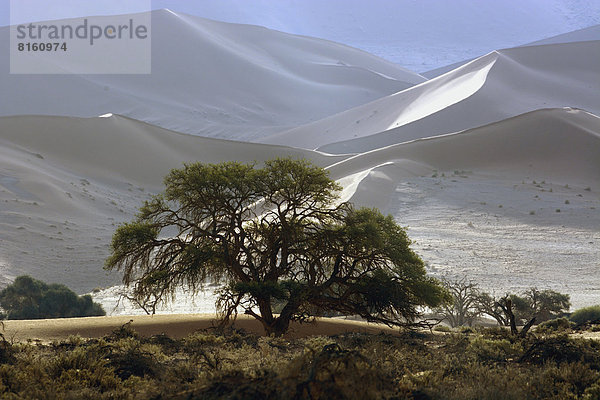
[418, 34]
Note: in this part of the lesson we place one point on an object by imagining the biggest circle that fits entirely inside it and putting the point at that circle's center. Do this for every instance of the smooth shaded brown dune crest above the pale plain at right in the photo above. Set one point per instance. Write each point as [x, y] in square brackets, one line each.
[559, 143]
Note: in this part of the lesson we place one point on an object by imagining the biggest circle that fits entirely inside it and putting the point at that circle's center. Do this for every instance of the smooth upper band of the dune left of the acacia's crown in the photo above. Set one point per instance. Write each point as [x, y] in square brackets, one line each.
[119, 148]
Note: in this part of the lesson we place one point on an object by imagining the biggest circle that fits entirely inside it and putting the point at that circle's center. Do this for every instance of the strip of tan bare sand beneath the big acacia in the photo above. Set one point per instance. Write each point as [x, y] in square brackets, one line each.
[173, 325]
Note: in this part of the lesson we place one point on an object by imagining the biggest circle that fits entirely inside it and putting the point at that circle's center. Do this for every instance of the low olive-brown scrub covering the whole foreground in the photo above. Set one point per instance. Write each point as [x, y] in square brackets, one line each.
[473, 364]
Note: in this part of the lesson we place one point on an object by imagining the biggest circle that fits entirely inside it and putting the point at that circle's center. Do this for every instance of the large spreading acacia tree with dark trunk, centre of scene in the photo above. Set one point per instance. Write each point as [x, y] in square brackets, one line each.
[276, 234]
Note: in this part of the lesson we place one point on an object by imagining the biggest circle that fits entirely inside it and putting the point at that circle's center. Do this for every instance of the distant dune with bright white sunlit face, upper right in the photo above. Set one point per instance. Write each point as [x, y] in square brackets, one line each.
[494, 87]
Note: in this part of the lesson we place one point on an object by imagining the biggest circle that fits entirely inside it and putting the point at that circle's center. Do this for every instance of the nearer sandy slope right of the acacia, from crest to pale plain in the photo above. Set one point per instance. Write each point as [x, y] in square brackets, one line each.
[511, 205]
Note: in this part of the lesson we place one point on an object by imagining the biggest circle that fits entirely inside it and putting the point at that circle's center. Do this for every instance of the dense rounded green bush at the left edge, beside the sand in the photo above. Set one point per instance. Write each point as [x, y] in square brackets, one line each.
[28, 298]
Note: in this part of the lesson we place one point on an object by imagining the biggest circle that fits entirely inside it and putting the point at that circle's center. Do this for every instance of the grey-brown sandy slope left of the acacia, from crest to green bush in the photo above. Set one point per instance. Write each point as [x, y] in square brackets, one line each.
[66, 183]
